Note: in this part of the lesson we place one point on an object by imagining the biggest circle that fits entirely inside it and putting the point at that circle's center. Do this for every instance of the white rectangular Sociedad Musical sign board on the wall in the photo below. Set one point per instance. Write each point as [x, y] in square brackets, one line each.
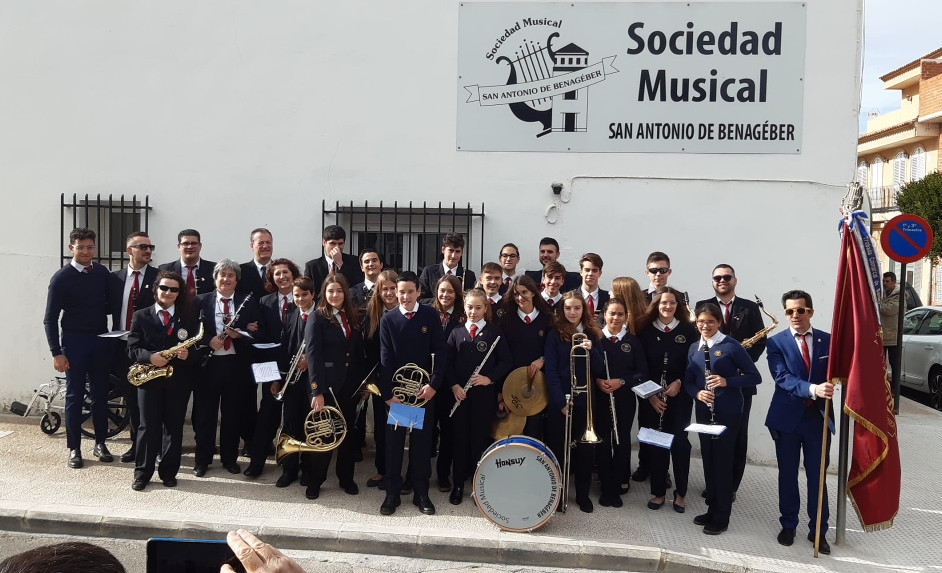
[631, 77]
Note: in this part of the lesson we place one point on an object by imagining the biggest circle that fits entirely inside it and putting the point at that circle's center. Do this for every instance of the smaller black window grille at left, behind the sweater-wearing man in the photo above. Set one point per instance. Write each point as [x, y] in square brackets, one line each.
[112, 219]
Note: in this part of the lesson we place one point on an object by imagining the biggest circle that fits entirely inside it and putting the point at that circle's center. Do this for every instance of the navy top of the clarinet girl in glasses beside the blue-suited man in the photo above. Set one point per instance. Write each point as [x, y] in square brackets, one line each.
[727, 359]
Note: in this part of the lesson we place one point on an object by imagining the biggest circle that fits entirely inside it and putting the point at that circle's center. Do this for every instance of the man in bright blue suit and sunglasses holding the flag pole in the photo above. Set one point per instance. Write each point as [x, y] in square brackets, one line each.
[798, 361]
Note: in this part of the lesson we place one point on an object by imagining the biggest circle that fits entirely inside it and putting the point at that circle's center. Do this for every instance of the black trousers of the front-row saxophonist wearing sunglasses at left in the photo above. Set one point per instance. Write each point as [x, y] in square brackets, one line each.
[163, 413]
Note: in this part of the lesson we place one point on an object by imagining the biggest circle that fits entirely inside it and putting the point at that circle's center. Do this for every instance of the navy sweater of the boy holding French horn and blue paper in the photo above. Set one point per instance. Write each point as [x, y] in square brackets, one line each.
[404, 341]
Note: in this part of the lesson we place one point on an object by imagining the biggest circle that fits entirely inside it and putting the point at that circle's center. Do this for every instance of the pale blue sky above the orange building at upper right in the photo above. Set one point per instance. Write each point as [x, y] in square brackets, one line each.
[896, 32]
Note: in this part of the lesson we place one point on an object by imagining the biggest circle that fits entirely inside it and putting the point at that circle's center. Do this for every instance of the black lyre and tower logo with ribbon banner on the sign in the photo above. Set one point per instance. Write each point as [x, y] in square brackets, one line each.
[544, 84]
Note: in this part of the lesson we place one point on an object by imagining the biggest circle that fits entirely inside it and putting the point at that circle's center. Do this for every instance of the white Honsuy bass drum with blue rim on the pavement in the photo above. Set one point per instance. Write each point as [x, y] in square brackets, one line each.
[516, 484]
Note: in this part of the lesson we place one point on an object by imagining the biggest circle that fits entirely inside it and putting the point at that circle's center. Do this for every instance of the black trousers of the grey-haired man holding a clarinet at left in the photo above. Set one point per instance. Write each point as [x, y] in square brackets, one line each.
[220, 389]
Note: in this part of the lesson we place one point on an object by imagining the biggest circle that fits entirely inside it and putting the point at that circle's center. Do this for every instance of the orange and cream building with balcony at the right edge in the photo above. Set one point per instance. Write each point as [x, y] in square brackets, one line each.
[903, 146]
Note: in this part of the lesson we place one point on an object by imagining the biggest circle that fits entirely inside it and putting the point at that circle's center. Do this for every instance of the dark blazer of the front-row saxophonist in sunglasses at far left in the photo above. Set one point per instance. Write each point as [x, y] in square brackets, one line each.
[149, 335]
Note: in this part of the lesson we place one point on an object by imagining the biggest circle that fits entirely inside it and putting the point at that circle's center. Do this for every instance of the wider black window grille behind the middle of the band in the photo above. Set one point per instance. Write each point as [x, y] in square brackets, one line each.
[409, 236]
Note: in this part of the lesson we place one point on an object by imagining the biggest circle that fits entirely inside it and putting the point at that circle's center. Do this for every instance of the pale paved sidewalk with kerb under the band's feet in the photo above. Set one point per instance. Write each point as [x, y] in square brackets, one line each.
[39, 493]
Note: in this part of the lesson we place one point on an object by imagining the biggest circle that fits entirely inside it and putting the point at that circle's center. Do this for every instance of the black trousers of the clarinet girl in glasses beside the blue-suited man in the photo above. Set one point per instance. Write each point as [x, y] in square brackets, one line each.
[718, 456]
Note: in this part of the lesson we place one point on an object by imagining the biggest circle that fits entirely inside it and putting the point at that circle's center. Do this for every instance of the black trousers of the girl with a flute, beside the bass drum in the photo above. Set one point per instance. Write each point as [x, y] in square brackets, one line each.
[471, 426]
